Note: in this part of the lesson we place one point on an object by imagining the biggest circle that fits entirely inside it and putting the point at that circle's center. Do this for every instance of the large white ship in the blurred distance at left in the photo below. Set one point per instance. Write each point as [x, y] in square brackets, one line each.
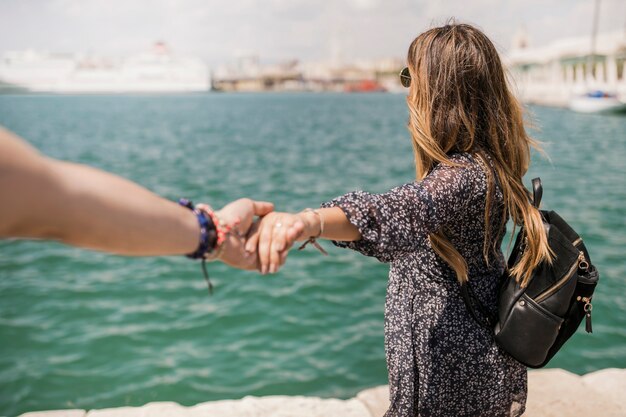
[155, 71]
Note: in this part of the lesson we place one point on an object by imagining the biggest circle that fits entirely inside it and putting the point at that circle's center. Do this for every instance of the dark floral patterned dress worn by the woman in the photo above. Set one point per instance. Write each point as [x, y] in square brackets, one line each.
[440, 361]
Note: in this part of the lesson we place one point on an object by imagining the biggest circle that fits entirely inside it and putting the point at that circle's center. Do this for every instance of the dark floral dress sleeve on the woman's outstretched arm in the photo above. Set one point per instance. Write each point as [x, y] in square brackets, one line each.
[401, 219]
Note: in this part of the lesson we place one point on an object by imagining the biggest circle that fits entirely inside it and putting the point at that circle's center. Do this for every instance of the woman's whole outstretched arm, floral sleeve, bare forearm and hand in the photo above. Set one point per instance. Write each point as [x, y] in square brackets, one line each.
[381, 225]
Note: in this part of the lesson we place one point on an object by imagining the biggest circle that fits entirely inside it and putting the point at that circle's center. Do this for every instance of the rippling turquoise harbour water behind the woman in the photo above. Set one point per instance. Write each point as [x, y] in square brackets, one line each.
[88, 330]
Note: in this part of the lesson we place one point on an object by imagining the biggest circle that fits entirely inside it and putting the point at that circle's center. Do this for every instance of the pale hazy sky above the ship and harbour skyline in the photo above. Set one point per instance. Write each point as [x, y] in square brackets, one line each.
[310, 30]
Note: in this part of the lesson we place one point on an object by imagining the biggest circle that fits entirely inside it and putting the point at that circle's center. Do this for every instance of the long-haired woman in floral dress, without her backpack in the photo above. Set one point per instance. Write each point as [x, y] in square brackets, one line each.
[471, 152]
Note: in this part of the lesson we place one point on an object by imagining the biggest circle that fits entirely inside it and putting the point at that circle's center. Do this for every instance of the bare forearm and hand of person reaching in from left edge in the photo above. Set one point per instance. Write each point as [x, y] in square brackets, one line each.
[82, 206]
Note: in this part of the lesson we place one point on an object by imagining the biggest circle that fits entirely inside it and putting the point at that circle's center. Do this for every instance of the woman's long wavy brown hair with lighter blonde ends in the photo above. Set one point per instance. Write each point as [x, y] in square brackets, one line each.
[460, 101]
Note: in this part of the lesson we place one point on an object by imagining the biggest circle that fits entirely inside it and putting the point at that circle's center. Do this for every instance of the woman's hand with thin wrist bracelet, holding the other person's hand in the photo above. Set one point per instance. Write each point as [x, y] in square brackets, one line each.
[273, 236]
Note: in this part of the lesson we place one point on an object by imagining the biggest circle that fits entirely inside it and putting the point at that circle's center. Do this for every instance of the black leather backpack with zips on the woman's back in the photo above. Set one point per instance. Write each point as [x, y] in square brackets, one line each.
[534, 322]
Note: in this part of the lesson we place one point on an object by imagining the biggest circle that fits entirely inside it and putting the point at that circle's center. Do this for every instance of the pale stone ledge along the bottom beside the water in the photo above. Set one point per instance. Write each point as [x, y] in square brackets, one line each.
[551, 392]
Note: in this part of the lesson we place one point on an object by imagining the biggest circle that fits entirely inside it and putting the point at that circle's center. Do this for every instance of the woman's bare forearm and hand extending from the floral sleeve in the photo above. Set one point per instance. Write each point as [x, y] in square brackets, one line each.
[276, 233]
